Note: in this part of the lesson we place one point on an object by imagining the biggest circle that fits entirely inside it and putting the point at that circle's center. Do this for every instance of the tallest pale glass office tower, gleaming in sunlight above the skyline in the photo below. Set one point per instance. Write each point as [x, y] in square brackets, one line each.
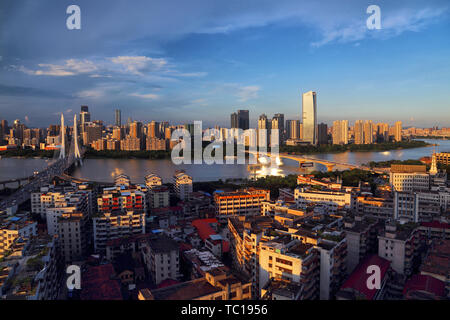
[309, 103]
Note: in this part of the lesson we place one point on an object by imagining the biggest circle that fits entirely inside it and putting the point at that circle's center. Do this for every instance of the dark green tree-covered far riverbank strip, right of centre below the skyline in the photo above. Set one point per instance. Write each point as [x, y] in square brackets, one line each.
[335, 148]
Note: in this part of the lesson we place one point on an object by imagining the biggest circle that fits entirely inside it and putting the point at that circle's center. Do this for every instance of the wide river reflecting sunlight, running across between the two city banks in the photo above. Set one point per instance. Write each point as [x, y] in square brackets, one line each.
[104, 170]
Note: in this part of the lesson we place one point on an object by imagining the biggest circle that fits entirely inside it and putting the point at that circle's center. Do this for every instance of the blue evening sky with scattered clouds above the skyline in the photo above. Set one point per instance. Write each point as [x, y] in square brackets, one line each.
[181, 61]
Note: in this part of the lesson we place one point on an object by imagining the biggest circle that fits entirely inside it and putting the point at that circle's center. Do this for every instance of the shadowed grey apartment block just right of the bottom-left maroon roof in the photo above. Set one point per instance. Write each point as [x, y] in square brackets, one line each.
[162, 258]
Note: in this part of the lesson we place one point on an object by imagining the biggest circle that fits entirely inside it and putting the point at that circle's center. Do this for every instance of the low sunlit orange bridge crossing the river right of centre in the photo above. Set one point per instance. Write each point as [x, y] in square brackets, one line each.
[330, 165]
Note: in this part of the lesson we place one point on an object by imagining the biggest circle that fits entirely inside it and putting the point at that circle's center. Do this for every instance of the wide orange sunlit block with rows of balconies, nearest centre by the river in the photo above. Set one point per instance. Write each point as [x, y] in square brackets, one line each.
[245, 202]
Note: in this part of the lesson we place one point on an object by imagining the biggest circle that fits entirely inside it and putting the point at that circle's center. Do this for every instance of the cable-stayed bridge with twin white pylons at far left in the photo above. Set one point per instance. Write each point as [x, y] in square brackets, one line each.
[56, 168]
